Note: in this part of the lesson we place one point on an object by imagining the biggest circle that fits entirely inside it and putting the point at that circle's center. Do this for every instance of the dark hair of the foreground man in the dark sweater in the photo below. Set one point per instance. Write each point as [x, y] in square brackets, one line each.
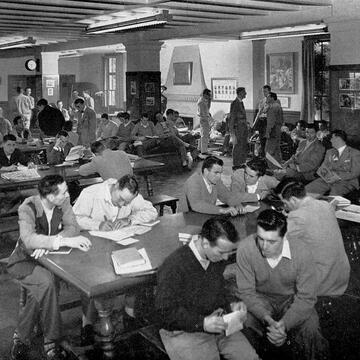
[217, 227]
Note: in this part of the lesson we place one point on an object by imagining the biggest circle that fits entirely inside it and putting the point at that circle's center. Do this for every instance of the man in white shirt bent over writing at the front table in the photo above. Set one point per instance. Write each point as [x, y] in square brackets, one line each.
[112, 205]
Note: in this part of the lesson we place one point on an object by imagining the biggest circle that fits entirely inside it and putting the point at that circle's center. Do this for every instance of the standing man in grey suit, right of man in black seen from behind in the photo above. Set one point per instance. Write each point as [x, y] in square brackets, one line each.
[86, 122]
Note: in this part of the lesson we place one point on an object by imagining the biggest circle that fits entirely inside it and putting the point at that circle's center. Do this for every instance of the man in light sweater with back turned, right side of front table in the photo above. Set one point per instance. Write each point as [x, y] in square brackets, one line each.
[313, 222]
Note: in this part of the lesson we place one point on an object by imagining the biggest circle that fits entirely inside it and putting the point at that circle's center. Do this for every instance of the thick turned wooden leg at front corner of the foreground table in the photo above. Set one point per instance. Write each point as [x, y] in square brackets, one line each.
[106, 328]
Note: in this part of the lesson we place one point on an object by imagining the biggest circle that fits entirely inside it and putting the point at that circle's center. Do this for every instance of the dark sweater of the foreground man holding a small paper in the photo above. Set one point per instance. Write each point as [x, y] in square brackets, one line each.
[186, 293]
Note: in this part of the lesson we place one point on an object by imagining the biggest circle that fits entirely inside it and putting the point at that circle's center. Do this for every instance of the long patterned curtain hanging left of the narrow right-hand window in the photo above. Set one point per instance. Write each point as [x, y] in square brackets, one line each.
[308, 62]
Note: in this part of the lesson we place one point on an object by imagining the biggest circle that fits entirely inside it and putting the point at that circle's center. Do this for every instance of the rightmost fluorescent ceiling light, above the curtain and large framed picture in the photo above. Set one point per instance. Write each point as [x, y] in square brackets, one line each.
[289, 31]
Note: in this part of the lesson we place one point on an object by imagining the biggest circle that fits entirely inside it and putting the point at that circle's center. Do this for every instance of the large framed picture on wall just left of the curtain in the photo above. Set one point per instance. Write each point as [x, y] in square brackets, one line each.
[281, 73]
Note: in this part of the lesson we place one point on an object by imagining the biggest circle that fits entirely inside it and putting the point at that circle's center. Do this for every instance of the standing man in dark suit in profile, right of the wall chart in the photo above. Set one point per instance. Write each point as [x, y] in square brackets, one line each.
[238, 128]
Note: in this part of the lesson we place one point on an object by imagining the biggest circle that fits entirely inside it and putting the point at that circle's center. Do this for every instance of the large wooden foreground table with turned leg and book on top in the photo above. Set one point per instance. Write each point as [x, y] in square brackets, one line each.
[93, 274]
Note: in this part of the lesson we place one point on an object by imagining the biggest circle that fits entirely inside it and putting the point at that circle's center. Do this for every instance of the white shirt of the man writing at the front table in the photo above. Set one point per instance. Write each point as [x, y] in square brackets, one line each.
[94, 206]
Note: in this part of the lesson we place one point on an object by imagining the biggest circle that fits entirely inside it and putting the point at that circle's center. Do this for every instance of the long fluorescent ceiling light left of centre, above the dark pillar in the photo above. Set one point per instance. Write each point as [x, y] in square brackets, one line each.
[133, 23]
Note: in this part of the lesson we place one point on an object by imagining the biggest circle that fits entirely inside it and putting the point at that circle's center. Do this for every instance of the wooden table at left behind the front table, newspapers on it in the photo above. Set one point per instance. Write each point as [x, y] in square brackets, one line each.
[142, 167]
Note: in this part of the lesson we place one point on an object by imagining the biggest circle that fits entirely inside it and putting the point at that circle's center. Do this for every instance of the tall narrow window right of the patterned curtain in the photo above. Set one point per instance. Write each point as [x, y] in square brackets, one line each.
[321, 79]
